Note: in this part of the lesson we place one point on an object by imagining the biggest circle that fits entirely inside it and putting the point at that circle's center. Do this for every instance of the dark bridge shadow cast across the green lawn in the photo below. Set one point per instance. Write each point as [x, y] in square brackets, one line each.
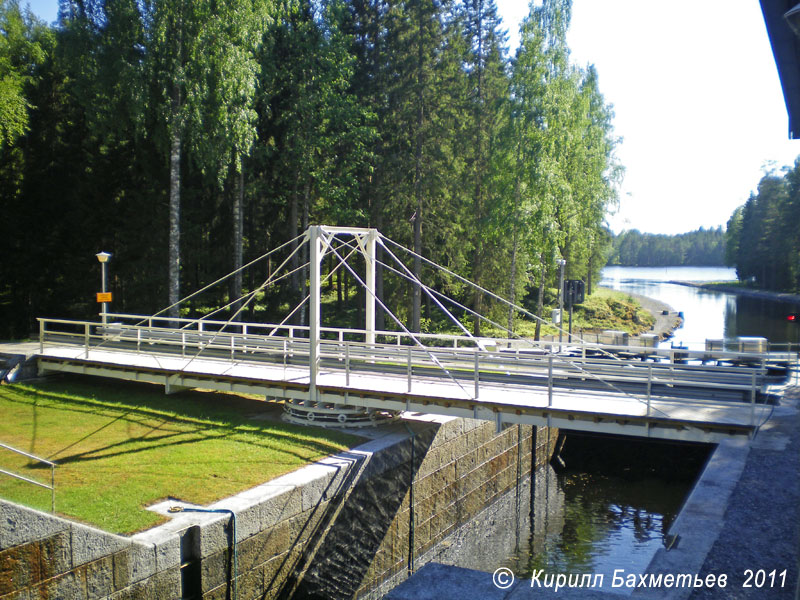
[195, 414]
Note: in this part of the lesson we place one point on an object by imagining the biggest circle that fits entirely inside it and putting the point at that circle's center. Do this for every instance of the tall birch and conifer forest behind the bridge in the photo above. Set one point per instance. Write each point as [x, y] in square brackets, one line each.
[188, 138]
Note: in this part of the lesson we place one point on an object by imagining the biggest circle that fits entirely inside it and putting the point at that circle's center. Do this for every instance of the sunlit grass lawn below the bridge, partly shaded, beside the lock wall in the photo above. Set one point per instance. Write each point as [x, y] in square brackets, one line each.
[121, 446]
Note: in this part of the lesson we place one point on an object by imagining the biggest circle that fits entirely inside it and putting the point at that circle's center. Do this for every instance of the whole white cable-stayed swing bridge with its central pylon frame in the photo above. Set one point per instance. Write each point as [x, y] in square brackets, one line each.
[351, 377]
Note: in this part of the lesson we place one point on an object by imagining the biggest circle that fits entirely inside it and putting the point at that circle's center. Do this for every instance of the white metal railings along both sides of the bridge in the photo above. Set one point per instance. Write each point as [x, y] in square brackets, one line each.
[447, 355]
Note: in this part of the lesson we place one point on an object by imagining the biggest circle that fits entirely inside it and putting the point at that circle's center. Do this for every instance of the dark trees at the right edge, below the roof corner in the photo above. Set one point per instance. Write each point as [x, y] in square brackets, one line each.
[763, 235]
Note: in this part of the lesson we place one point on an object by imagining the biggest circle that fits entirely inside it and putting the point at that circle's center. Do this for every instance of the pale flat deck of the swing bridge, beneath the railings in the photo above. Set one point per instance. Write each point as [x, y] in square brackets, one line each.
[694, 419]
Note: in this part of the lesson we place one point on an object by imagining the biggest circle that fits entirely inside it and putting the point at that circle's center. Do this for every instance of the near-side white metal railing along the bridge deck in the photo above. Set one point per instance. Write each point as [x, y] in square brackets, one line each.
[510, 367]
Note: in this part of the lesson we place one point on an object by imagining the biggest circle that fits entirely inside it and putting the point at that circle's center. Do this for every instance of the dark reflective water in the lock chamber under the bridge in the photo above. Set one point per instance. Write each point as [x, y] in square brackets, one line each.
[609, 509]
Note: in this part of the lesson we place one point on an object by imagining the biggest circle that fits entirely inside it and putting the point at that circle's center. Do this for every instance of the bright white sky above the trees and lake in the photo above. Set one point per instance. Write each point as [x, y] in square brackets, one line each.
[696, 96]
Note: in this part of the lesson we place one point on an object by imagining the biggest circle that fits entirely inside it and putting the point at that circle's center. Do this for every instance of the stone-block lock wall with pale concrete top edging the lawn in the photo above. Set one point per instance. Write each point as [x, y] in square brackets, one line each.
[339, 528]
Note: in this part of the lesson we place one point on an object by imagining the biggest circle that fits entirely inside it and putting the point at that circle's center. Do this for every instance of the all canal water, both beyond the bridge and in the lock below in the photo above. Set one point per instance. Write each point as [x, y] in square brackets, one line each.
[615, 512]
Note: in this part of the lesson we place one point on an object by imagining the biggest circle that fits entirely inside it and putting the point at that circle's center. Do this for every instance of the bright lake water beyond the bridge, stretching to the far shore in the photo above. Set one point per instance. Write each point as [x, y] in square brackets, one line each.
[707, 315]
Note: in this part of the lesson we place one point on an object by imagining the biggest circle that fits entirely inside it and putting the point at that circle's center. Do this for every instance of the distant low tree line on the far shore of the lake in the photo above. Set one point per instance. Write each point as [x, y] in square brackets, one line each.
[701, 248]
